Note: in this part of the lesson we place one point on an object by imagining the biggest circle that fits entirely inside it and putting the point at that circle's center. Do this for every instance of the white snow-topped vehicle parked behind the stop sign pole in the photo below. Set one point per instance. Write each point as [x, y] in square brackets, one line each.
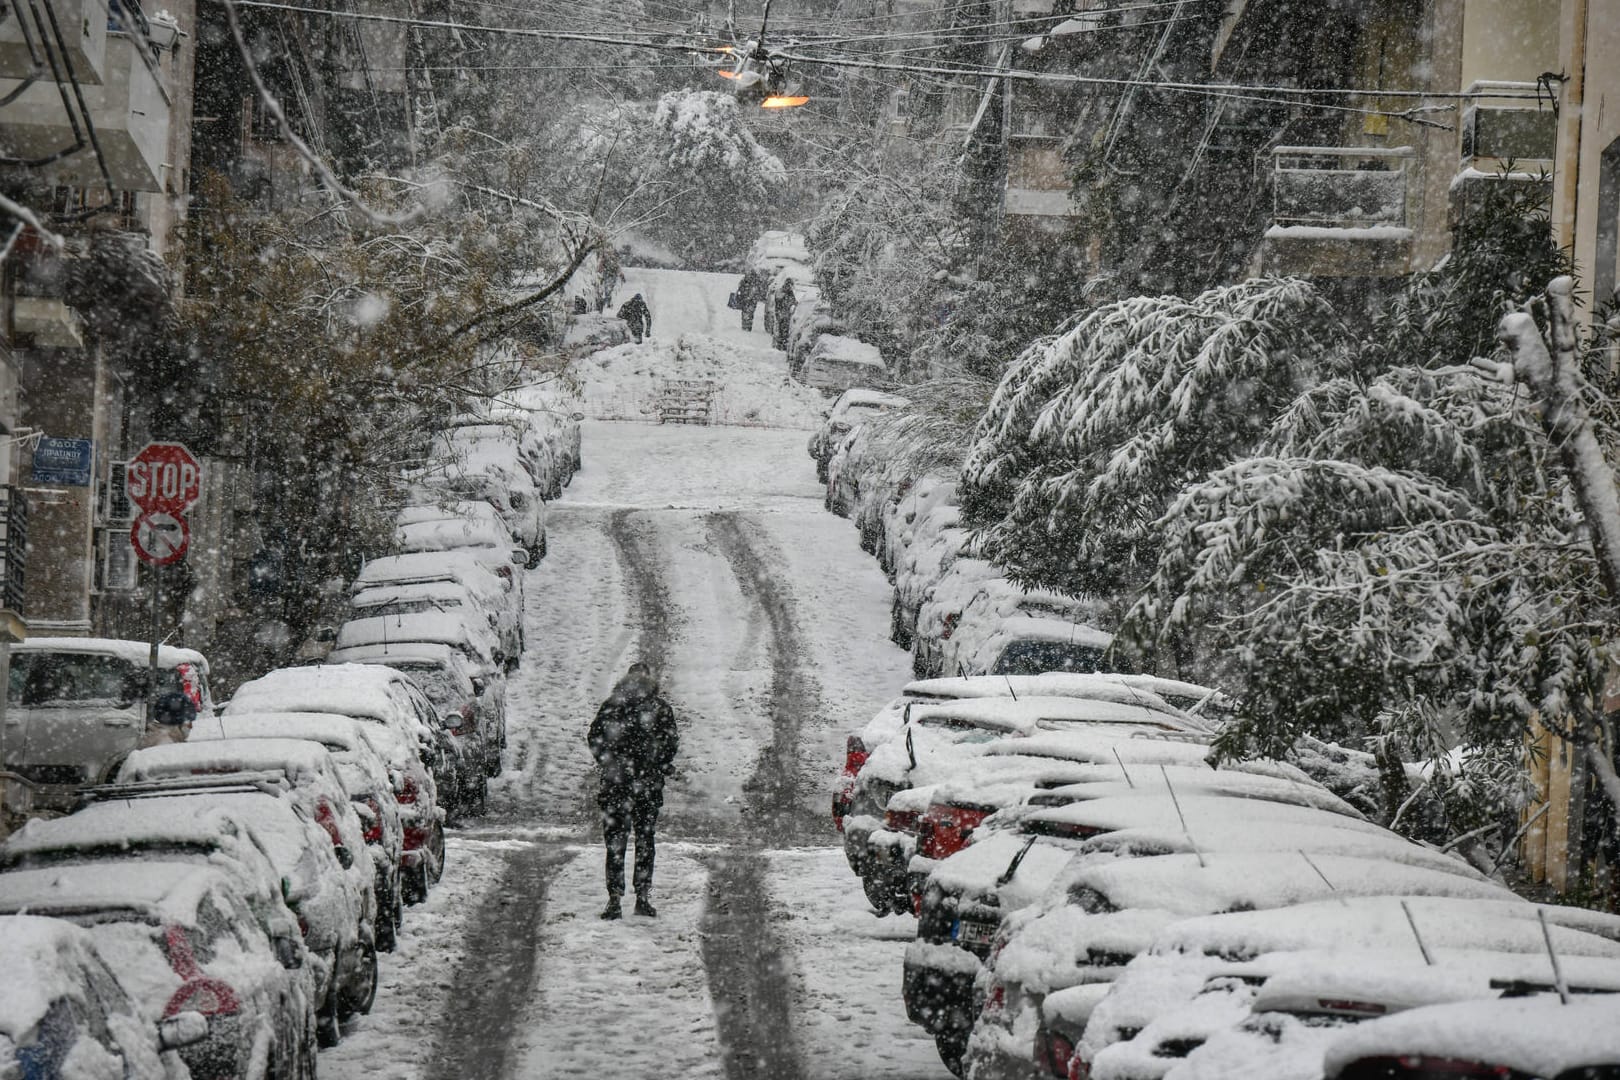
[77, 707]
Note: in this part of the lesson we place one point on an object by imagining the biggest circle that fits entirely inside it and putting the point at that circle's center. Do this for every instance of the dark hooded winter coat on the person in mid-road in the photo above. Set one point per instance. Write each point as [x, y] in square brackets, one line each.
[634, 742]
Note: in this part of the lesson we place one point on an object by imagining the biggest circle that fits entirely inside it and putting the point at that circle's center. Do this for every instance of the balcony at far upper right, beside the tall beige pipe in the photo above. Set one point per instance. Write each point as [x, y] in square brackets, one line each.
[1509, 137]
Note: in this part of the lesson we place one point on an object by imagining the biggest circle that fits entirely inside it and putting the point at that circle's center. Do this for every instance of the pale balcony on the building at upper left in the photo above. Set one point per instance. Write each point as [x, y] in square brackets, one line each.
[130, 111]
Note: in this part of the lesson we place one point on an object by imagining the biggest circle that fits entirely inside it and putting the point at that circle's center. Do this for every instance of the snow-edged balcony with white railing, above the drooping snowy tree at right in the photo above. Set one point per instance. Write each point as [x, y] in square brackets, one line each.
[1339, 211]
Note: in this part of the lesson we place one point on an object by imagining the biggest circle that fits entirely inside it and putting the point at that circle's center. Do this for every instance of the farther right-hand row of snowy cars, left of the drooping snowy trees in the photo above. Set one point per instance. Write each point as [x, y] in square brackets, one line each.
[957, 614]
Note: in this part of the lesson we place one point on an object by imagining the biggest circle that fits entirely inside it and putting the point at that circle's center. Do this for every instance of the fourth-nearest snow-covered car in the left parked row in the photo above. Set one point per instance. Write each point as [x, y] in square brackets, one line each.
[315, 788]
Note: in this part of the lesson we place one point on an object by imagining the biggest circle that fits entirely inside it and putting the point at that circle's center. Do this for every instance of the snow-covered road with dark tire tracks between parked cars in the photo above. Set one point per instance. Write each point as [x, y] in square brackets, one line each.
[707, 553]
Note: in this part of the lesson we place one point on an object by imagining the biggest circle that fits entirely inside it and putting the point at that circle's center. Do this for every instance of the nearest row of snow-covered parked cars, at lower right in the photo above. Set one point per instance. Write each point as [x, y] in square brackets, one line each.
[1094, 899]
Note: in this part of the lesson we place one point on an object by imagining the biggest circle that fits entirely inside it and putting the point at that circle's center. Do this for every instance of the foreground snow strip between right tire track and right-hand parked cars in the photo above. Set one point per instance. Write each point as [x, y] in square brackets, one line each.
[846, 974]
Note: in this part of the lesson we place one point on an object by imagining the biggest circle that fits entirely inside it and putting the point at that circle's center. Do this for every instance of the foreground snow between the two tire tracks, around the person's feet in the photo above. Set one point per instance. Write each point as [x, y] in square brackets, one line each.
[615, 993]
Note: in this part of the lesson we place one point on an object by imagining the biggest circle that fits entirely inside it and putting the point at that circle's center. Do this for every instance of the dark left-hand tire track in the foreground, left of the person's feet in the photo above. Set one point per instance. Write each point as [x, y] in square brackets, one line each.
[497, 979]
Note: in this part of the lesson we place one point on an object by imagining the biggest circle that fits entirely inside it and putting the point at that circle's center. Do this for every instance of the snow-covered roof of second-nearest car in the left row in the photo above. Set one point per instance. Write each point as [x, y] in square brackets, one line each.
[142, 888]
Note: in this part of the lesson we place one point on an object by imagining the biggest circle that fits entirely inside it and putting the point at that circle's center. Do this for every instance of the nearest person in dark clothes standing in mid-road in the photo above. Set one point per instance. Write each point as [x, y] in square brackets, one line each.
[634, 742]
